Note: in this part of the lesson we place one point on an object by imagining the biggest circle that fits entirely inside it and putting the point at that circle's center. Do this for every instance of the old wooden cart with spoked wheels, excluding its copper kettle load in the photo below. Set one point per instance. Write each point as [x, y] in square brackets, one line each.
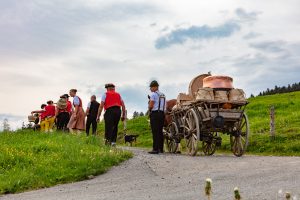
[205, 121]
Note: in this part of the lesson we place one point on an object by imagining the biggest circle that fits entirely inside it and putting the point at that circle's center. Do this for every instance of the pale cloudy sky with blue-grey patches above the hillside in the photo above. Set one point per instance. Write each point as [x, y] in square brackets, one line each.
[48, 47]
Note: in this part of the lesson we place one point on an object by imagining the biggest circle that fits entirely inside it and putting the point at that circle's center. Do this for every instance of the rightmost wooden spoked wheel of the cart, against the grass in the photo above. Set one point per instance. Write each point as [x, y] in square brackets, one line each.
[239, 142]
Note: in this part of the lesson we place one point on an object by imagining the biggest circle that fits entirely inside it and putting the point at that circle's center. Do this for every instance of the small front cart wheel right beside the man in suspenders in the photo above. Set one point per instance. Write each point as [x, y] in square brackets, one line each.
[170, 135]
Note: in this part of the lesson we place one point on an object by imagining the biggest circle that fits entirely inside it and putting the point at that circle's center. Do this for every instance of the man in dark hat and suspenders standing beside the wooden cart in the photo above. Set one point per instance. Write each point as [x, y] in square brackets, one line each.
[157, 105]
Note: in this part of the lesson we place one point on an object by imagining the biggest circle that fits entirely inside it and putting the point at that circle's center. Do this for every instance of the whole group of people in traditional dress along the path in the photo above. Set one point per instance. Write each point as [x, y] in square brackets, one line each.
[73, 118]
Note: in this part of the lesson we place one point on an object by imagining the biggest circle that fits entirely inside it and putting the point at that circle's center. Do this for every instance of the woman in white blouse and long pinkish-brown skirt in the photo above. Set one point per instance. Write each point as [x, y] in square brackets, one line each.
[77, 120]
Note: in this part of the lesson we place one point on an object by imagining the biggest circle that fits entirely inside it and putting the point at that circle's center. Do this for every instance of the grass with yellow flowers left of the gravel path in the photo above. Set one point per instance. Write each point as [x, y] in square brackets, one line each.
[31, 160]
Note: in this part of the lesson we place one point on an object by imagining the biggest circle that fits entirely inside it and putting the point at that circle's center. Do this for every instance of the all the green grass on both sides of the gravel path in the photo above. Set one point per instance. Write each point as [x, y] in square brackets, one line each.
[31, 160]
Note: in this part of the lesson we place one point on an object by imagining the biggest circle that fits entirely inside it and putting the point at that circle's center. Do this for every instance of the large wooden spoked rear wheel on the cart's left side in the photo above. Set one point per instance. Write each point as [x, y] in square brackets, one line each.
[191, 126]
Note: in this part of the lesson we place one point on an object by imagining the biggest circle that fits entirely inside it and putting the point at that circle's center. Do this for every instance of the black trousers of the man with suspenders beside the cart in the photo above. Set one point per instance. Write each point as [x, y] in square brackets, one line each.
[157, 120]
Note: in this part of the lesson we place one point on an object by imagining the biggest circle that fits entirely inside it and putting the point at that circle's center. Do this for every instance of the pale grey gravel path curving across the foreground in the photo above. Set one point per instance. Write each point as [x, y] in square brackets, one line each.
[178, 177]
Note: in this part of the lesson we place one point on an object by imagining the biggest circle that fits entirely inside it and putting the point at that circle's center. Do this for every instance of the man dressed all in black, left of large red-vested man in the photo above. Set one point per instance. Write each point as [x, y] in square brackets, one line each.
[91, 113]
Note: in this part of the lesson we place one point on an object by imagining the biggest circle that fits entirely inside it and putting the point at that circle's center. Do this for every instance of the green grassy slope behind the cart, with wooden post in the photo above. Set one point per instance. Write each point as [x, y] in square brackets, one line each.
[287, 118]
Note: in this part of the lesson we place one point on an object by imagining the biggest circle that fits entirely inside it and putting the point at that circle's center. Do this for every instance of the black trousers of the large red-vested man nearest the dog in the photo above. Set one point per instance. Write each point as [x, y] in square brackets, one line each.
[112, 117]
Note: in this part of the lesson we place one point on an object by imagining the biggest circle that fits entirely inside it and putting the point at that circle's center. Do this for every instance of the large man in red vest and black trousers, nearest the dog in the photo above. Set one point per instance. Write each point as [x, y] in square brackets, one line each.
[112, 103]
